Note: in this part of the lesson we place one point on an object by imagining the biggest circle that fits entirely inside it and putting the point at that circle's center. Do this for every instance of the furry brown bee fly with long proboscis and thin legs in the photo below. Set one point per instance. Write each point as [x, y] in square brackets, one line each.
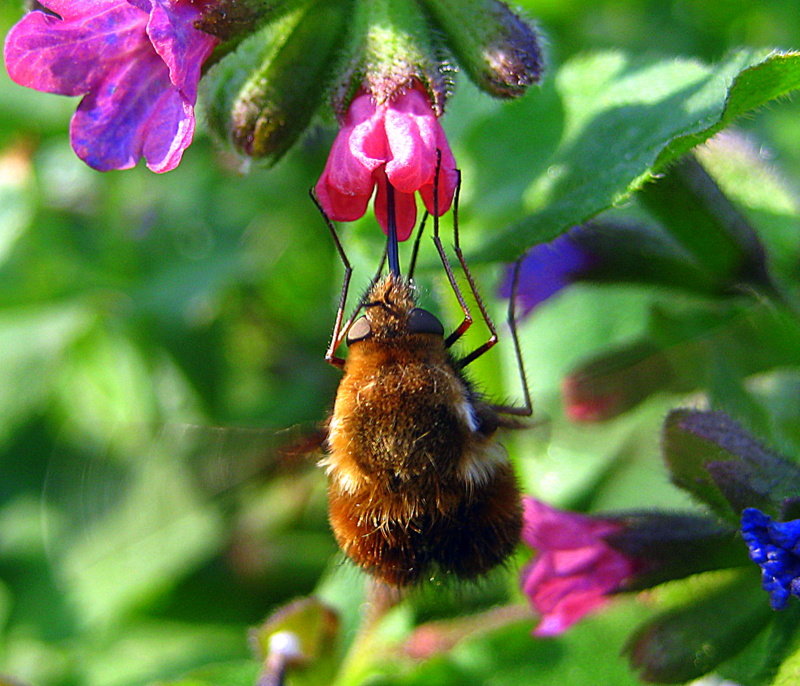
[417, 482]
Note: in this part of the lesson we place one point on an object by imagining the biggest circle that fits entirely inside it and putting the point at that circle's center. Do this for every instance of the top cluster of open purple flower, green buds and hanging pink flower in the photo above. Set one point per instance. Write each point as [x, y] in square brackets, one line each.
[137, 64]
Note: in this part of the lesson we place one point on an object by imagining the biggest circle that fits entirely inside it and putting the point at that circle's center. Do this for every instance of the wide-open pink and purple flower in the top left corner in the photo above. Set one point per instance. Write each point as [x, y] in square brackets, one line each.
[137, 64]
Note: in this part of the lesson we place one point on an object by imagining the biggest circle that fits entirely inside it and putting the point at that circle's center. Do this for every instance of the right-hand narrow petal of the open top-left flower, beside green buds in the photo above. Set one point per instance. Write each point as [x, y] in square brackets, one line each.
[182, 47]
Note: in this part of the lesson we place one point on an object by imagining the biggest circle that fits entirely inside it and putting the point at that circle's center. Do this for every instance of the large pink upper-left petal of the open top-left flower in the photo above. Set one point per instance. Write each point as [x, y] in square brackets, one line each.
[70, 56]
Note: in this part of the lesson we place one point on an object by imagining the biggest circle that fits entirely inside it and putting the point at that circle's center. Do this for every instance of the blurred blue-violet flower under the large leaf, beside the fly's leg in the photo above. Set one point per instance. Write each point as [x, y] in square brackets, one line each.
[546, 269]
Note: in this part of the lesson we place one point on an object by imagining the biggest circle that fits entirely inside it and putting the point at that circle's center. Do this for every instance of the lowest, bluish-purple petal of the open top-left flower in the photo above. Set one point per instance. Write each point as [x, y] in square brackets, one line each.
[135, 112]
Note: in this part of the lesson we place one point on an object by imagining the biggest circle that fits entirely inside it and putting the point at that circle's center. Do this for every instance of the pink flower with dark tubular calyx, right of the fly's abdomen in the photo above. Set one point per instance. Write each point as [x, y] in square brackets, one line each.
[581, 560]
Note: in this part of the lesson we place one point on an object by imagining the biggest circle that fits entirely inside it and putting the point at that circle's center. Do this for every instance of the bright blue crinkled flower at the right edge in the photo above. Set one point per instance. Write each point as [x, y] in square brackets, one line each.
[775, 547]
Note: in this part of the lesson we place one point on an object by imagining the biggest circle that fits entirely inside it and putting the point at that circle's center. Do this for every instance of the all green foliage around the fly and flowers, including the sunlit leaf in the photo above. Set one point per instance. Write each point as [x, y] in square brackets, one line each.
[144, 318]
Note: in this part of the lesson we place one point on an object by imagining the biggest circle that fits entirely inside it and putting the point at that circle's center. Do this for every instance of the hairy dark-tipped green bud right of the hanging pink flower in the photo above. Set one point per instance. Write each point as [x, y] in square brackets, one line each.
[498, 49]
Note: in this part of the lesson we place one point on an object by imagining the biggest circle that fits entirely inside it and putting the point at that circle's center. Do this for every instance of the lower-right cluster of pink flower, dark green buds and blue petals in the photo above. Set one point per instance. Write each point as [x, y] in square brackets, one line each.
[581, 561]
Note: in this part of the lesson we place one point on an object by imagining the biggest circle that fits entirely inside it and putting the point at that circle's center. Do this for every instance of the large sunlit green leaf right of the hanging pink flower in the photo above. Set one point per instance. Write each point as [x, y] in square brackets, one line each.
[619, 121]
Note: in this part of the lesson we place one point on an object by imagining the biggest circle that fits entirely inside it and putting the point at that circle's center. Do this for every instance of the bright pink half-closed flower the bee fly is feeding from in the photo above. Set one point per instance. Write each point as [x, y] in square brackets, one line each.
[389, 143]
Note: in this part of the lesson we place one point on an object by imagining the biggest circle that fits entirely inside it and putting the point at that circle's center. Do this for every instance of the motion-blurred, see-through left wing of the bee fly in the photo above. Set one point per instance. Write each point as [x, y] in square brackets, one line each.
[121, 529]
